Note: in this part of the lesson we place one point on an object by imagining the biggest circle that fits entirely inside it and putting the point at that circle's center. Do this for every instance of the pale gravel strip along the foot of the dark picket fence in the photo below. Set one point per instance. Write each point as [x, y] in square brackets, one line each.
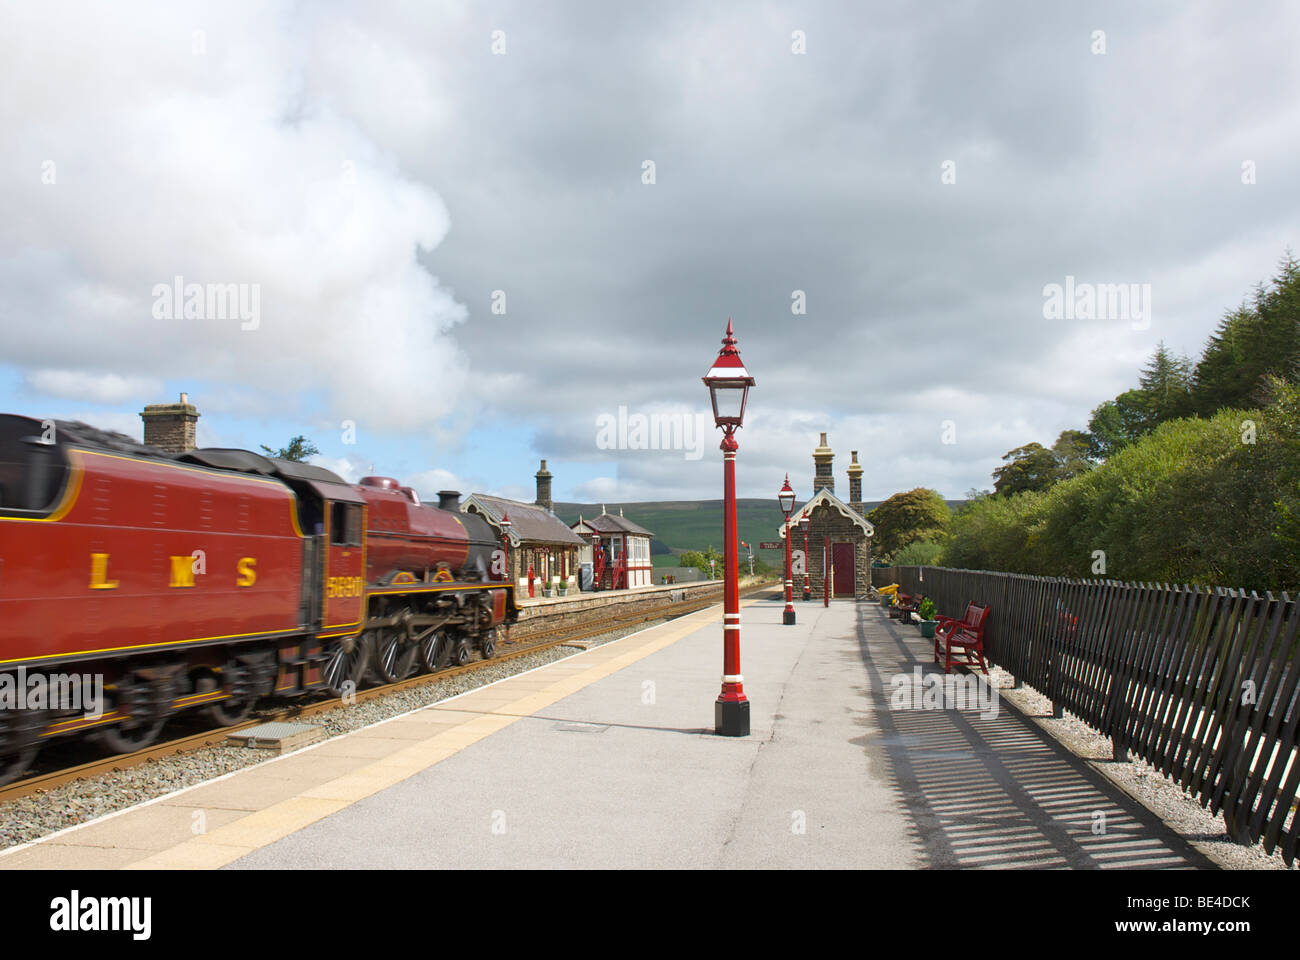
[1147, 785]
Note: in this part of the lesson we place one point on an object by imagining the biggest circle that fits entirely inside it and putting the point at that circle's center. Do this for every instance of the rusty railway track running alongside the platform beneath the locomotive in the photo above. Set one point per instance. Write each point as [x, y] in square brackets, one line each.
[544, 641]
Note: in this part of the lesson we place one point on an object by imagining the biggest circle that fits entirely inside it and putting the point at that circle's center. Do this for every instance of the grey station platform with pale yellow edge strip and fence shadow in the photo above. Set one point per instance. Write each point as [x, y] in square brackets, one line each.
[608, 760]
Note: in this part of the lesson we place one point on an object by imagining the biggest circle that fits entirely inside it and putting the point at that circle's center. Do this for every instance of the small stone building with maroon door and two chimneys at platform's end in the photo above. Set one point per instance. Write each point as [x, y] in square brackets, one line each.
[839, 534]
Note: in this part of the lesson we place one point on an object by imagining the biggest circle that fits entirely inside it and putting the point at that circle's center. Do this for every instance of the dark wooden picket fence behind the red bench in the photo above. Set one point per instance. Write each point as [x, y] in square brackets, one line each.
[1199, 682]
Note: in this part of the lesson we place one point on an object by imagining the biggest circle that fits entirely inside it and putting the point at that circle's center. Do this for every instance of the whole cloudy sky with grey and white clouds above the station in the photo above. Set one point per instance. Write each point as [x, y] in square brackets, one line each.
[474, 231]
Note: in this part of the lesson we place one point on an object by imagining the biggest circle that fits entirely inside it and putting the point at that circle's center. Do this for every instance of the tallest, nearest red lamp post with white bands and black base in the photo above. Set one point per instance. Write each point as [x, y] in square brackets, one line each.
[729, 388]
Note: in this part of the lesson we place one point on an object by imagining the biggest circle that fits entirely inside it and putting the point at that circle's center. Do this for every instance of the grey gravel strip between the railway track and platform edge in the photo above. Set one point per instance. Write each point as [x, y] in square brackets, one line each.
[38, 815]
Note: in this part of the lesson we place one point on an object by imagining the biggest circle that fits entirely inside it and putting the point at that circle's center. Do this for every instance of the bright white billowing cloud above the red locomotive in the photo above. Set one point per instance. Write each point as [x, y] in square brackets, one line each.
[222, 146]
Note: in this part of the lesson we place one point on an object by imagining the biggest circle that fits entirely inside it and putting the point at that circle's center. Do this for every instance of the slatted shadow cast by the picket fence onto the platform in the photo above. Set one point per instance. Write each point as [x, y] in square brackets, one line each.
[987, 792]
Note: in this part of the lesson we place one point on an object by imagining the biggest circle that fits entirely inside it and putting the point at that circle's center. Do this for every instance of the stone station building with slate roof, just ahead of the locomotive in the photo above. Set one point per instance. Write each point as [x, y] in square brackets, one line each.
[539, 539]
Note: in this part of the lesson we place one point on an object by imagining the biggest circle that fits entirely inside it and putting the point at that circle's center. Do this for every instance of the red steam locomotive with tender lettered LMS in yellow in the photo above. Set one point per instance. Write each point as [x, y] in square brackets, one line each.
[136, 585]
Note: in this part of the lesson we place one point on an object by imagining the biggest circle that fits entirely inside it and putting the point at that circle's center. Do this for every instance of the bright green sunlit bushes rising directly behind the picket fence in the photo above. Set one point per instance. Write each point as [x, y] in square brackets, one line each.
[1214, 501]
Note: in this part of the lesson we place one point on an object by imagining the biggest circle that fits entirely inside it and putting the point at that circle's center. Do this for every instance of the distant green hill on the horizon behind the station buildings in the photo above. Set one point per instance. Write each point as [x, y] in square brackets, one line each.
[696, 525]
